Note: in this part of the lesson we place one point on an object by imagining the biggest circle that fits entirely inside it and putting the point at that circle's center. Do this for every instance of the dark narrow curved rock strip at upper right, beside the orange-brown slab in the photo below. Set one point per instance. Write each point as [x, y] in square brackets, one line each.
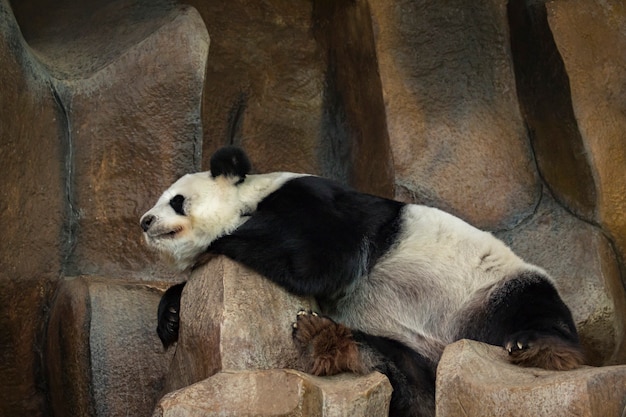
[545, 98]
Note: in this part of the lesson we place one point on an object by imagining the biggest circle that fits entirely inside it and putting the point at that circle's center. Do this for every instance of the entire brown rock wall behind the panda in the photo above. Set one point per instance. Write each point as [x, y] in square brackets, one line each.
[511, 115]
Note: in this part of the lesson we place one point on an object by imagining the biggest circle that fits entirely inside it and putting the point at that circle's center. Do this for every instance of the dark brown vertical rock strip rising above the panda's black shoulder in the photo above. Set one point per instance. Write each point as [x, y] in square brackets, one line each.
[355, 121]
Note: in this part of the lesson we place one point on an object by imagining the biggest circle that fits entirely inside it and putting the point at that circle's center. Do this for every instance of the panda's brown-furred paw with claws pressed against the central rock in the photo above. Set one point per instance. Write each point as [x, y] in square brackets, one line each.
[325, 347]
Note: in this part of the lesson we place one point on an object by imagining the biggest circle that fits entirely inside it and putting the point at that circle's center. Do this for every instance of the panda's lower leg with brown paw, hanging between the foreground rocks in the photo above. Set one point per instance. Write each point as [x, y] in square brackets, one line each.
[328, 348]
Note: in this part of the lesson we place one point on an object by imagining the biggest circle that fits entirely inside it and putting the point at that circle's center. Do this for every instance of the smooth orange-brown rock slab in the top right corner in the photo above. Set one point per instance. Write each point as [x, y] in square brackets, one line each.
[591, 39]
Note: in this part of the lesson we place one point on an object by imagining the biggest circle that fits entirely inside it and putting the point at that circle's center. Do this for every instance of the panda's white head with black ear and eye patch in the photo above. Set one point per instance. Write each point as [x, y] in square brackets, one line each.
[199, 208]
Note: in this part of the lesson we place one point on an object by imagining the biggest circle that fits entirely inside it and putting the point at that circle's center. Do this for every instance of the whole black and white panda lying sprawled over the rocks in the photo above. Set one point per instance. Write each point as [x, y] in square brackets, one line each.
[396, 282]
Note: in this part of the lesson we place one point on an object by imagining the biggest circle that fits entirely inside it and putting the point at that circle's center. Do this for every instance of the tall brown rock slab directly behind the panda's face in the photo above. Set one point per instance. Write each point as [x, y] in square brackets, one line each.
[130, 140]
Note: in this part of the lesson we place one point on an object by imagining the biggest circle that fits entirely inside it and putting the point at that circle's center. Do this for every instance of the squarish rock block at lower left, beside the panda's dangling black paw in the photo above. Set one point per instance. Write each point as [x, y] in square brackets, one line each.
[103, 357]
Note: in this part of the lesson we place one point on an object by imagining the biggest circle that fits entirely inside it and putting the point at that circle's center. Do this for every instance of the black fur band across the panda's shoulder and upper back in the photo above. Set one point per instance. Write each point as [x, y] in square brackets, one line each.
[314, 236]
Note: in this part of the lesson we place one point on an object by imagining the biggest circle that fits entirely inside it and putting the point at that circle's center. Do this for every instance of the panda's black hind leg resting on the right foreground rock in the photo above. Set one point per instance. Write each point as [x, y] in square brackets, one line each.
[535, 325]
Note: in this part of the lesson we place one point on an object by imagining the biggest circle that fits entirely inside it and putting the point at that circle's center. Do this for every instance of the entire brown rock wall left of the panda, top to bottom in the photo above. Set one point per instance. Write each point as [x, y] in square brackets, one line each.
[98, 114]
